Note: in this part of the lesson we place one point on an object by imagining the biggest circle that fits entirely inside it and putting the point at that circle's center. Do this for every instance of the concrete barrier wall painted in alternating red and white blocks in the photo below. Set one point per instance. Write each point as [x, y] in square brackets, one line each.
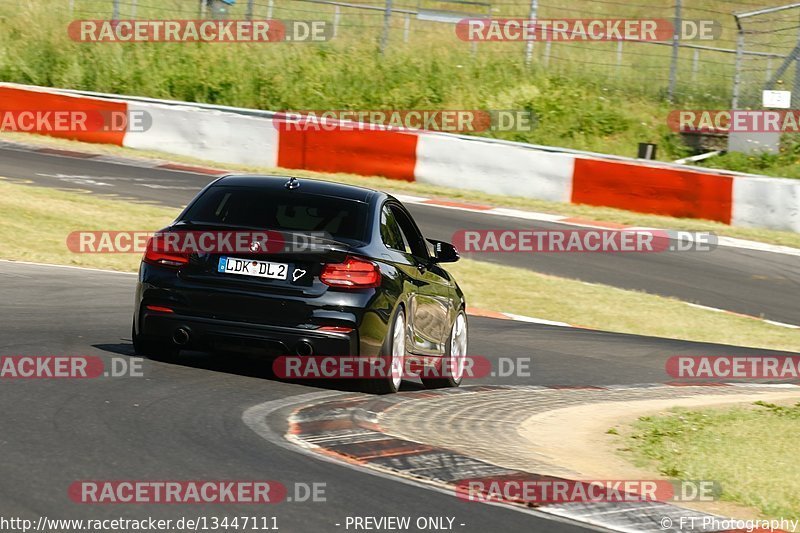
[447, 160]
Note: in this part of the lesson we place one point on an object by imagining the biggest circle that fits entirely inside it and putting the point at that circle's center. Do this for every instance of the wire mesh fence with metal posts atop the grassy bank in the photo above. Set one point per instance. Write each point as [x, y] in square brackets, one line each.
[758, 46]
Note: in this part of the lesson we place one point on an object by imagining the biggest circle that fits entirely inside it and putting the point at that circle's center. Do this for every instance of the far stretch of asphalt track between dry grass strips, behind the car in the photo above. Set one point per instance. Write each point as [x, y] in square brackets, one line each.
[755, 283]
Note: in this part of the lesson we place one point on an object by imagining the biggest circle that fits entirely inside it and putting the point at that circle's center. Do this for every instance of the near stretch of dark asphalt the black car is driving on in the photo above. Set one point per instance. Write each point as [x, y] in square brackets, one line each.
[182, 420]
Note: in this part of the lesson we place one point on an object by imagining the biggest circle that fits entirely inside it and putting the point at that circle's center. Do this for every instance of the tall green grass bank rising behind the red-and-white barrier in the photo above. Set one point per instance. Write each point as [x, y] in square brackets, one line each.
[580, 101]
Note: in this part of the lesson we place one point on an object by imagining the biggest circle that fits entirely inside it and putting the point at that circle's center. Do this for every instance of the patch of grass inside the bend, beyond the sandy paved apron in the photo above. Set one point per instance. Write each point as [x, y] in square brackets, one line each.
[750, 452]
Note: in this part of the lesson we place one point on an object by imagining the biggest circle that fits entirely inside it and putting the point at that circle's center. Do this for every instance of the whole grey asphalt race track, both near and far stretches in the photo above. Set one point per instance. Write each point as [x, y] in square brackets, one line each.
[182, 420]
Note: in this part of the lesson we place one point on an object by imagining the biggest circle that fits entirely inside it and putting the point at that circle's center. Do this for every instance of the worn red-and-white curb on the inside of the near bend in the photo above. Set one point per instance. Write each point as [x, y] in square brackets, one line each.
[347, 430]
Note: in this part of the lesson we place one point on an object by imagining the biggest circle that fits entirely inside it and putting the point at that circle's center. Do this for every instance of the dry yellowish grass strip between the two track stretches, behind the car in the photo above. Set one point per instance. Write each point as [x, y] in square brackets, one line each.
[35, 222]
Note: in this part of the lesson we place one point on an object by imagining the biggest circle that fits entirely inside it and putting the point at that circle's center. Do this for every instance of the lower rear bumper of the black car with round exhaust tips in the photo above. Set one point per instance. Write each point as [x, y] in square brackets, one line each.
[208, 333]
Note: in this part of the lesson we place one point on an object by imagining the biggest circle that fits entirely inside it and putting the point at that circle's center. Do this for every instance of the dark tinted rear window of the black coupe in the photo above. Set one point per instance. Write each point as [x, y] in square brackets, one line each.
[342, 218]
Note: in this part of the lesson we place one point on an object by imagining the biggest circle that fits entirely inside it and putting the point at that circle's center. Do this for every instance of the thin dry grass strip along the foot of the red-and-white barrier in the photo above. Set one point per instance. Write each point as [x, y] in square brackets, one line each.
[608, 214]
